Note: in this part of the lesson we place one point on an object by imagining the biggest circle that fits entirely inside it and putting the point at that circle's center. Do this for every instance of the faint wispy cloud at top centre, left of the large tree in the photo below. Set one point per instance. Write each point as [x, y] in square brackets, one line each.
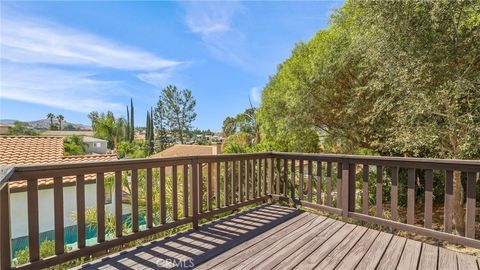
[214, 23]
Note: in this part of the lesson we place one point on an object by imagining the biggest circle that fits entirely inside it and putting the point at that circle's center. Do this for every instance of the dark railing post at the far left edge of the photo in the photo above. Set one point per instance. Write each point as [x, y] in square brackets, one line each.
[5, 234]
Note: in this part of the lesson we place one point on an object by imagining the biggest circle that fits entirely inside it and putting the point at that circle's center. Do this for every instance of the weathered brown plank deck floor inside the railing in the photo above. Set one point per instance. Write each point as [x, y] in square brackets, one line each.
[276, 237]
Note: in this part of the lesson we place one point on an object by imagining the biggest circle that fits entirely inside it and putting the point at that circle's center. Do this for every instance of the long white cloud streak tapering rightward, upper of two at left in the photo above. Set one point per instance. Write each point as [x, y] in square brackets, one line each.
[30, 40]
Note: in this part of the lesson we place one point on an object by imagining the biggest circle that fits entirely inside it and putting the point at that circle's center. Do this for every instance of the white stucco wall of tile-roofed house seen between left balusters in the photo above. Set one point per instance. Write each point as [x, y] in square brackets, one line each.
[19, 216]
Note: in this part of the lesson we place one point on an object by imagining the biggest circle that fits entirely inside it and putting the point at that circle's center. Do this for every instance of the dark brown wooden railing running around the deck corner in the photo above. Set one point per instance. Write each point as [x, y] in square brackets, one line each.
[212, 185]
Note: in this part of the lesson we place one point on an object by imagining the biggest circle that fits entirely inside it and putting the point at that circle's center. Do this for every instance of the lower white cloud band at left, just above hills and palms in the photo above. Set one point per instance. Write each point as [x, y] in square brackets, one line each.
[75, 91]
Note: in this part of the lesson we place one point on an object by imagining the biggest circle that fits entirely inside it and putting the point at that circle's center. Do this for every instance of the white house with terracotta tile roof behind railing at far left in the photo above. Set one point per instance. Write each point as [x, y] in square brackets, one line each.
[23, 150]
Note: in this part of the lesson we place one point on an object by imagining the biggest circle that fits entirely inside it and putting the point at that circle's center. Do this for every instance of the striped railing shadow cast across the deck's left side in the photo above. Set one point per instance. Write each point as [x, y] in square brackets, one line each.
[193, 247]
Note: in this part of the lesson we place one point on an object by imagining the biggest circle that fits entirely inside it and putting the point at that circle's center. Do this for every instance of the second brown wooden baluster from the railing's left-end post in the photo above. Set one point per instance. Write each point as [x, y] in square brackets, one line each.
[58, 209]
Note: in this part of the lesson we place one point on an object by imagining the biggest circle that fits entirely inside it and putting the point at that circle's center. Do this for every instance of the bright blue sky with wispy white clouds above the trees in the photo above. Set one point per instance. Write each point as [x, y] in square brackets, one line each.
[75, 57]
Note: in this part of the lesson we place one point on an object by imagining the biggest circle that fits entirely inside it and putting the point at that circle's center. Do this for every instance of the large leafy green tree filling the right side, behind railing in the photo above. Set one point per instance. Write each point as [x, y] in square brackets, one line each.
[398, 78]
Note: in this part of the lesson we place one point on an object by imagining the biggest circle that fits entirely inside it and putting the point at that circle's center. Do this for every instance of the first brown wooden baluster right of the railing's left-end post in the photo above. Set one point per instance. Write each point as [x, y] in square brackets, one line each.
[33, 225]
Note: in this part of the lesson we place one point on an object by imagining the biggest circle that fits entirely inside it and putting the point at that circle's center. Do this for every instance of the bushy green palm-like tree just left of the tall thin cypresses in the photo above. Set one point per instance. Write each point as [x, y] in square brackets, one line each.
[107, 127]
